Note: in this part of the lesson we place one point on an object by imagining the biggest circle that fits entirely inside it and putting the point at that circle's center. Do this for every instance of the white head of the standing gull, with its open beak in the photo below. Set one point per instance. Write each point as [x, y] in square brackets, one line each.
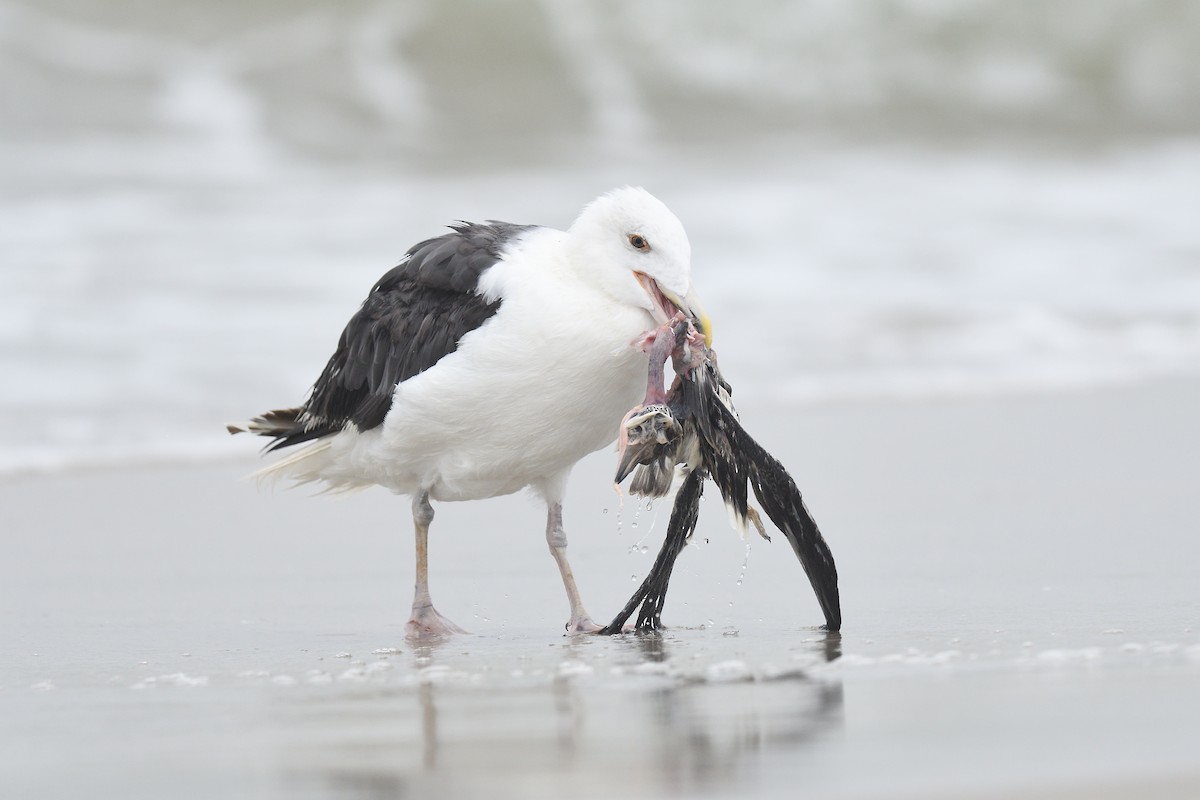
[640, 254]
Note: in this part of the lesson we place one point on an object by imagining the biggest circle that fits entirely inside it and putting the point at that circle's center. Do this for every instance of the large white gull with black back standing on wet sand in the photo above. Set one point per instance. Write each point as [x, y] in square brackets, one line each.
[493, 359]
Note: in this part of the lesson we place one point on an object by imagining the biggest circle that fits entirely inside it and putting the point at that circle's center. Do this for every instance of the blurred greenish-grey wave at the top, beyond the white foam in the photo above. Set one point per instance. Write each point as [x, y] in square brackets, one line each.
[375, 80]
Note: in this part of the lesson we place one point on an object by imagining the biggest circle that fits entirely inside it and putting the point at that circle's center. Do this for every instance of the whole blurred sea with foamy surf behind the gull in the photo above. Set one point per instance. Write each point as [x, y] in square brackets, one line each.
[911, 197]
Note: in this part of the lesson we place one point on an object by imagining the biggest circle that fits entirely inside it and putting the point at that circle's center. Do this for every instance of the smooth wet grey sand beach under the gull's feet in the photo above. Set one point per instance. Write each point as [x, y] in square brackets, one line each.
[1018, 579]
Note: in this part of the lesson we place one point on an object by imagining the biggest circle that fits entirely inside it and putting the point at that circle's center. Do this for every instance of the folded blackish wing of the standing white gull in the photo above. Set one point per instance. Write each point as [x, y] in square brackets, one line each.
[413, 318]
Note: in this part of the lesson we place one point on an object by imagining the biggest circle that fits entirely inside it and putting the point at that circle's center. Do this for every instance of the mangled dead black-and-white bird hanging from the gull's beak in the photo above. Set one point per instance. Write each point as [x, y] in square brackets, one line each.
[695, 428]
